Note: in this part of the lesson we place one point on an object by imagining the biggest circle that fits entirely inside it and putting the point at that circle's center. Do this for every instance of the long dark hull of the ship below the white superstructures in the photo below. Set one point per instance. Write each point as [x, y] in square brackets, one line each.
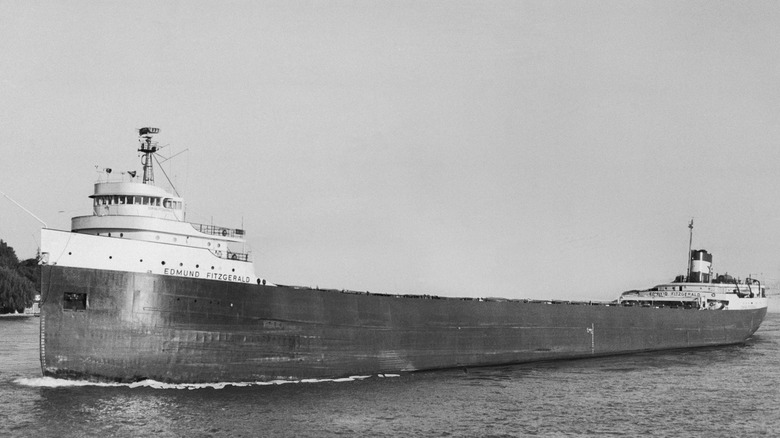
[173, 329]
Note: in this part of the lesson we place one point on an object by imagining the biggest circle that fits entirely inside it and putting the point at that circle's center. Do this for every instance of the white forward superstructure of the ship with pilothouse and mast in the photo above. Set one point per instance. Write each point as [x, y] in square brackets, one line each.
[139, 227]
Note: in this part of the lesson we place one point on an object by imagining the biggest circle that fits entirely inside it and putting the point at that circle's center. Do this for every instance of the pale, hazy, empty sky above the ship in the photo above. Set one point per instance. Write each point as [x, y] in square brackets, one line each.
[523, 149]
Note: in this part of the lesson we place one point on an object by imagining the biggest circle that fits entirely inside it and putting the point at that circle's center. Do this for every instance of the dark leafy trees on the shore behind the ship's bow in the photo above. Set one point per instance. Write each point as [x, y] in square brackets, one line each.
[18, 280]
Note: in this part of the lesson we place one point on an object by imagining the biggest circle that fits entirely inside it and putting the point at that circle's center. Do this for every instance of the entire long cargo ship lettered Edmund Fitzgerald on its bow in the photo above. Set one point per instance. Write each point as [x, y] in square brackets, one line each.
[134, 291]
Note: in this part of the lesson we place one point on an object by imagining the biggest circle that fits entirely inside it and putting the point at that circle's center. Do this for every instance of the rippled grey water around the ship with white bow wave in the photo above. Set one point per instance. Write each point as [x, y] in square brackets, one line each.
[724, 391]
